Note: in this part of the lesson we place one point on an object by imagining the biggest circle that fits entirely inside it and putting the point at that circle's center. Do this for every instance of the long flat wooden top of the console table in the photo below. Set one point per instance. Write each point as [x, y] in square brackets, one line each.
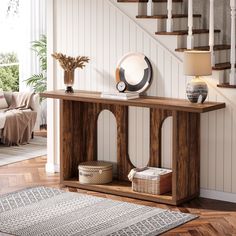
[143, 101]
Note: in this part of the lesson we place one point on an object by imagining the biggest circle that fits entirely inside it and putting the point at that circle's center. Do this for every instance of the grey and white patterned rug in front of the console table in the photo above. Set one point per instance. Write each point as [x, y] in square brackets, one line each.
[48, 211]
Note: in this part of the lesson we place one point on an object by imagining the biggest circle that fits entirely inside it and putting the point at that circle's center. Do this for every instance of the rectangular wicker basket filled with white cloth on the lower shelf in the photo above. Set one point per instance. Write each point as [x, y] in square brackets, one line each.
[152, 180]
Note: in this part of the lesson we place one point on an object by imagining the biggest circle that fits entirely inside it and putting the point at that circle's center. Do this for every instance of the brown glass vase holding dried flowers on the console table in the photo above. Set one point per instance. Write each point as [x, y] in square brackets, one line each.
[69, 64]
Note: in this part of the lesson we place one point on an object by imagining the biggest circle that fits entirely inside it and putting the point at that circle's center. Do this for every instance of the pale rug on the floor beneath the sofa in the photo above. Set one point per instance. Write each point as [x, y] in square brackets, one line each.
[37, 147]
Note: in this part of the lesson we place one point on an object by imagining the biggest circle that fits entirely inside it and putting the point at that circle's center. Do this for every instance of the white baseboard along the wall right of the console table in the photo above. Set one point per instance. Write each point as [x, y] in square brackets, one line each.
[217, 195]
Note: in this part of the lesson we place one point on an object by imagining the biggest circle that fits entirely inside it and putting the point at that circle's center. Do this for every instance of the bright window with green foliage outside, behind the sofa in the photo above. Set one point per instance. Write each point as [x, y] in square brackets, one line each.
[9, 45]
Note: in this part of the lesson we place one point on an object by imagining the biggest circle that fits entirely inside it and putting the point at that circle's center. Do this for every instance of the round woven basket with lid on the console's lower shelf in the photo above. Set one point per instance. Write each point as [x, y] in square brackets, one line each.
[95, 172]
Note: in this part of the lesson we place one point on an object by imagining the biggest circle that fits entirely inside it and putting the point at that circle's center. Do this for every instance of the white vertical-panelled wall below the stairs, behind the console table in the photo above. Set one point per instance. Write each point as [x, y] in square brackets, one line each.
[97, 29]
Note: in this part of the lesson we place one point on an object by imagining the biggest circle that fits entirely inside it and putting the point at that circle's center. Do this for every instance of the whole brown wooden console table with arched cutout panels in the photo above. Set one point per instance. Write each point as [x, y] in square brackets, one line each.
[78, 136]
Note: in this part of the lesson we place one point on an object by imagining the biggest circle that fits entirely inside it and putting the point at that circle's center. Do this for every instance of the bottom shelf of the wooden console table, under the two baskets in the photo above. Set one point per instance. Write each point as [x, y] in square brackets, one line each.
[121, 188]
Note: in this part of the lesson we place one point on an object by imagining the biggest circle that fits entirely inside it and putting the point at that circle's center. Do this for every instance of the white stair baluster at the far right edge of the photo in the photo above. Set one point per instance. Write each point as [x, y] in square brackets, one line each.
[232, 57]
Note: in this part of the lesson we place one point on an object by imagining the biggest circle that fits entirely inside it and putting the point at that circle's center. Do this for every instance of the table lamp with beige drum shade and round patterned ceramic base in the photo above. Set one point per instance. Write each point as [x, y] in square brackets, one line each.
[197, 64]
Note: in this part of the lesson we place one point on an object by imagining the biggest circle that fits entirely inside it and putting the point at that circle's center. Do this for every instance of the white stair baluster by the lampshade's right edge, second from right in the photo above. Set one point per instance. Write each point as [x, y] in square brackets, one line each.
[211, 32]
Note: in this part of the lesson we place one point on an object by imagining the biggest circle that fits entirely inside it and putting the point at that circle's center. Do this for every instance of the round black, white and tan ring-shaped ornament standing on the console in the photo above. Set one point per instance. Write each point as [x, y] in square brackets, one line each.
[135, 70]
